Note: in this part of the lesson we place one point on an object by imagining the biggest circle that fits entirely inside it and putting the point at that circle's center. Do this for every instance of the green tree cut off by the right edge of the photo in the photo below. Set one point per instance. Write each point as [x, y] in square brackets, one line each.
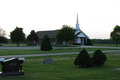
[115, 34]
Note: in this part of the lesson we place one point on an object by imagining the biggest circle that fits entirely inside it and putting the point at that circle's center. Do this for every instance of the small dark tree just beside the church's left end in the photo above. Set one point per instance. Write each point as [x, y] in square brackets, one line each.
[32, 37]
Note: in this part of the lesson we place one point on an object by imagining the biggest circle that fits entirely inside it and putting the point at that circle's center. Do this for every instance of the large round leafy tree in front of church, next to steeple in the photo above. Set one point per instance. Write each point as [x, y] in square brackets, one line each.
[66, 33]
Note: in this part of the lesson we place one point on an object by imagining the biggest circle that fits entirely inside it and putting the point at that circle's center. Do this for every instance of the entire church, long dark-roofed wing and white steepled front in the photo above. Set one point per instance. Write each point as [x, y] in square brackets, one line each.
[81, 36]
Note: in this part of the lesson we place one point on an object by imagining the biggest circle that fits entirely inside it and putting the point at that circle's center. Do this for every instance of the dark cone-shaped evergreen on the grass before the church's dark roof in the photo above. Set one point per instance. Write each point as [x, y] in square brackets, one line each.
[46, 43]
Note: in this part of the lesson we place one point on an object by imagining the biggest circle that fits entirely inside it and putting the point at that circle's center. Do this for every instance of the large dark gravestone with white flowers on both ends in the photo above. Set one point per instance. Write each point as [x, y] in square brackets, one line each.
[11, 67]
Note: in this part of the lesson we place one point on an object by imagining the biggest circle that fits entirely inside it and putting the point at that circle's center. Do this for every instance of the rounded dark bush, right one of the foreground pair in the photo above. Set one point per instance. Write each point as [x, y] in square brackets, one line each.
[102, 57]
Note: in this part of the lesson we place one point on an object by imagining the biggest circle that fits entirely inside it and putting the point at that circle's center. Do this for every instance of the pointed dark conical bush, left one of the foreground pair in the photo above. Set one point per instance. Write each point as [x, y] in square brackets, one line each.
[83, 59]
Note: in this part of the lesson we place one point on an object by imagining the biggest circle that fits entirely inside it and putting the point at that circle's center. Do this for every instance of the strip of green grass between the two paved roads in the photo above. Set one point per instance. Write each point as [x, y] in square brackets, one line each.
[38, 51]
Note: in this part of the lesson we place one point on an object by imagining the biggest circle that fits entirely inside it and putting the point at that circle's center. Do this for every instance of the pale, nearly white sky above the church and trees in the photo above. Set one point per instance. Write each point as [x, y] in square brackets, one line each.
[97, 18]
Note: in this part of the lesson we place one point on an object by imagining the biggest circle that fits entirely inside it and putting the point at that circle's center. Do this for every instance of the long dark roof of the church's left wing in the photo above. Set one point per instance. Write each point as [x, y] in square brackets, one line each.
[51, 33]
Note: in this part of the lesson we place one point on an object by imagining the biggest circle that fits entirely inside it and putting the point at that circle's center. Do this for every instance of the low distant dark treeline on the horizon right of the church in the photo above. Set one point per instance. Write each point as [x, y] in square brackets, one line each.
[103, 41]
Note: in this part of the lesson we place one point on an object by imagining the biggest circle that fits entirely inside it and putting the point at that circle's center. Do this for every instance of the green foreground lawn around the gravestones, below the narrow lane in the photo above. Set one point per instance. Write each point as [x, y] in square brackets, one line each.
[64, 69]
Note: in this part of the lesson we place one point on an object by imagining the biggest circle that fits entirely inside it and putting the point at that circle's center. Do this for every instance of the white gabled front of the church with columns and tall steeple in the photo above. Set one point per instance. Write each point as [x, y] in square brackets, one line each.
[81, 36]
